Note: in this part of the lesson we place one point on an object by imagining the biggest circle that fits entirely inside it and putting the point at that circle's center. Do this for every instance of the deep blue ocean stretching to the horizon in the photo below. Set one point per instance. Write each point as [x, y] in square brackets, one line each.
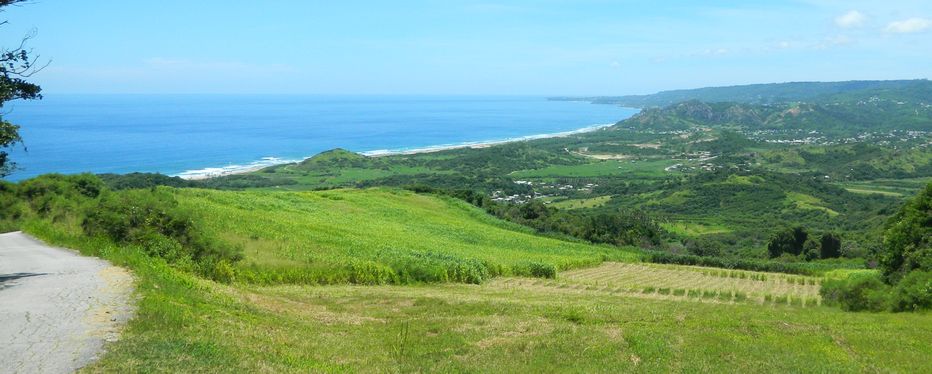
[191, 134]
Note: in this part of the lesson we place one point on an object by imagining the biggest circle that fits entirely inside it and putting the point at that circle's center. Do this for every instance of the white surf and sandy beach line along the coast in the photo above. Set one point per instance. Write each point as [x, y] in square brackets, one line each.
[215, 172]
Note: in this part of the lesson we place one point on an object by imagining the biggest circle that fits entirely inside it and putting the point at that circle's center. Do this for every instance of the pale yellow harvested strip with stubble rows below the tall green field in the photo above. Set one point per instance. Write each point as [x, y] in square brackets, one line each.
[696, 283]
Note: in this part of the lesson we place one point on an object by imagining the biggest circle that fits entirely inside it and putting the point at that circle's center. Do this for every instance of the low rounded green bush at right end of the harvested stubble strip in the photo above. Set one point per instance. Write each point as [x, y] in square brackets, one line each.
[858, 292]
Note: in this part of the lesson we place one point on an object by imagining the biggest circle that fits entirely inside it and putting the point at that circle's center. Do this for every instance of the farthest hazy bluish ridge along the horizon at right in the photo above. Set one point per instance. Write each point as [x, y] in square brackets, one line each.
[818, 92]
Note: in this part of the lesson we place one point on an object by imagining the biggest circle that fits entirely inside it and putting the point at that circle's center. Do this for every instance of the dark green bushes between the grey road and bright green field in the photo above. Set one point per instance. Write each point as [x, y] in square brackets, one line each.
[149, 220]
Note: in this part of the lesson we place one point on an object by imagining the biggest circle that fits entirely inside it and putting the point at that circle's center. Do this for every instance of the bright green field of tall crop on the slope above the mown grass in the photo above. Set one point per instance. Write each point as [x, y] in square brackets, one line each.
[379, 236]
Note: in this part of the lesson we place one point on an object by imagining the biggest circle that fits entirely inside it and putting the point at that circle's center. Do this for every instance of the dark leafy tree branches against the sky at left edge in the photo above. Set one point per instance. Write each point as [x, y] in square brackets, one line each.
[16, 65]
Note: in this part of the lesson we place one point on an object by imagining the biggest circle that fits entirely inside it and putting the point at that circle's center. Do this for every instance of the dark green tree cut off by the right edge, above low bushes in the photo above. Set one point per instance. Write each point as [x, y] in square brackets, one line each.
[907, 243]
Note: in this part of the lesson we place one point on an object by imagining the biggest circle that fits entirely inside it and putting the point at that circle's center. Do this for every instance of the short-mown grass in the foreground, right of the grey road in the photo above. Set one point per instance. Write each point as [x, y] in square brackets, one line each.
[490, 328]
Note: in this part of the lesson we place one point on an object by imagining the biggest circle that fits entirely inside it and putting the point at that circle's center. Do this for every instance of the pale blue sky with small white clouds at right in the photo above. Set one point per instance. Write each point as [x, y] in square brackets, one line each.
[461, 47]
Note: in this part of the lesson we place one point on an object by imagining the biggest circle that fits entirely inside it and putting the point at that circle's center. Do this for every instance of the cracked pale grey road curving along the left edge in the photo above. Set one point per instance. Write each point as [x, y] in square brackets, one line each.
[57, 308]
